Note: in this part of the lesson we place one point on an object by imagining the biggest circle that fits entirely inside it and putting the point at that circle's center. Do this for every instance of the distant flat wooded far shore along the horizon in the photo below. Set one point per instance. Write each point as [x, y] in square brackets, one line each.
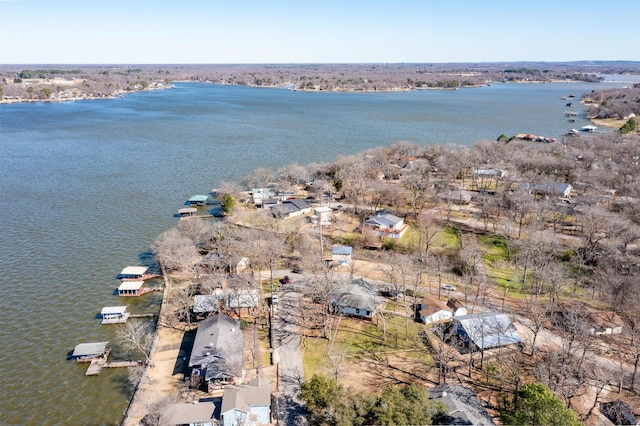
[60, 83]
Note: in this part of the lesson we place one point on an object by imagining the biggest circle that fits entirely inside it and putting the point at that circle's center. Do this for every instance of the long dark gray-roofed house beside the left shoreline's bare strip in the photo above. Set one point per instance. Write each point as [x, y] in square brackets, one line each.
[217, 354]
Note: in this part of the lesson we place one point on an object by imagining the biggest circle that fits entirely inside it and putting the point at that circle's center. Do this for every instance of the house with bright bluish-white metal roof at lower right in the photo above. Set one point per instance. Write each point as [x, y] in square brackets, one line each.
[486, 330]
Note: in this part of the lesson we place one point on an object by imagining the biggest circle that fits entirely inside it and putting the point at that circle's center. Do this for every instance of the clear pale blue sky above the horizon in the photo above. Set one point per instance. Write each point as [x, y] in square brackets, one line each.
[316, 31]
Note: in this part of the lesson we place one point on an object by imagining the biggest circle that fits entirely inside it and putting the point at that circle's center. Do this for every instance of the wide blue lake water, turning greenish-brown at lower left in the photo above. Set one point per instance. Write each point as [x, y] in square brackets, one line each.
[87, 186]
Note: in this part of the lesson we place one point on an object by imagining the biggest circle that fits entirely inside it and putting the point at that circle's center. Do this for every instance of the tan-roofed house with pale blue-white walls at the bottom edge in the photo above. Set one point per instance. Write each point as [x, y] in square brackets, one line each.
[247, 404]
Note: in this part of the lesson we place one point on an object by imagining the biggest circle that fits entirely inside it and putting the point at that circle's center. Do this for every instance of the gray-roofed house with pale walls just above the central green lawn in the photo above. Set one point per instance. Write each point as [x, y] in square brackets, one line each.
[357, 298]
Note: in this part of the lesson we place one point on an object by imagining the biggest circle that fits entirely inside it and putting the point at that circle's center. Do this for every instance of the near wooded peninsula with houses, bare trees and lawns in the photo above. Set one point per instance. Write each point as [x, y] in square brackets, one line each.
[477, 271]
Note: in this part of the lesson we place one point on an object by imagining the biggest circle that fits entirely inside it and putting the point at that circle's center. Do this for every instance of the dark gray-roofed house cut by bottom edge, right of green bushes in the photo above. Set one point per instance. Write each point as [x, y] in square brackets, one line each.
[463, 406]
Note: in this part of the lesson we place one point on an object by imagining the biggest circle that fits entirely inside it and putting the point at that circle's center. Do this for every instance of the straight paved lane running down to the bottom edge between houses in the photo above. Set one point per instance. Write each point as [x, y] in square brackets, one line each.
[288, 355]
